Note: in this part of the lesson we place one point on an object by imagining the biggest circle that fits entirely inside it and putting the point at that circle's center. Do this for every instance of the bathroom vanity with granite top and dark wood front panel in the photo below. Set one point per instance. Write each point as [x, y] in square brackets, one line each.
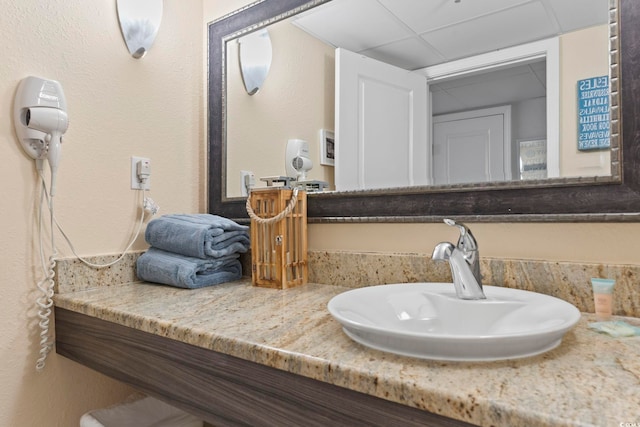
[240, 355]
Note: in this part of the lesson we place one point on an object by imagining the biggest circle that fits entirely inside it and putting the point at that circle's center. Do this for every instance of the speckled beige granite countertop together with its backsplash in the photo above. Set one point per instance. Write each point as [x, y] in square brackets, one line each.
[591, 379]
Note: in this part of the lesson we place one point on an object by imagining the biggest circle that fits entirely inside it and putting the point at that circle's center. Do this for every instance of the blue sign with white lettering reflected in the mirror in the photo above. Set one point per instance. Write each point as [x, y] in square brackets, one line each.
[593, 113]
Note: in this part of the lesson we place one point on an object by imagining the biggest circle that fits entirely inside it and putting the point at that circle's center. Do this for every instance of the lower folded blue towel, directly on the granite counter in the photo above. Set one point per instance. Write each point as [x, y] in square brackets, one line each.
[159, 266]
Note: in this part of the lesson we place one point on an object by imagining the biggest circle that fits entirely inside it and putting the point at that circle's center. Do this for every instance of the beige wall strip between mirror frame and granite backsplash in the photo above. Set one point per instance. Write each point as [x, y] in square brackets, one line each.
[592, 243]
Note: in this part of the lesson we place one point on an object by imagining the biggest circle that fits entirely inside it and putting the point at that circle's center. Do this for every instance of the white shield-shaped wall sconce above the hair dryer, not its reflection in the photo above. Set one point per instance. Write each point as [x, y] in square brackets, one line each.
[139, 22]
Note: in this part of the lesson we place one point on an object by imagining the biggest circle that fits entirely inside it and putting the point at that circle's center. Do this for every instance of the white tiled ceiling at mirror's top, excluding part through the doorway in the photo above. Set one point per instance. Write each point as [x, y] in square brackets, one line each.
[414, 34]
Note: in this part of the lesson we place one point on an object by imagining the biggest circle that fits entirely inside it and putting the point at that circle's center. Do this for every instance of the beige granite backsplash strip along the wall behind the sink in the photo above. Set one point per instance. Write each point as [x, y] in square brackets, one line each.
[569, 281]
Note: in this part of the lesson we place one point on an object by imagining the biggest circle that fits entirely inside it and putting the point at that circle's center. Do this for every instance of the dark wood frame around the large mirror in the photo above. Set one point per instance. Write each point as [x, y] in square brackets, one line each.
[615, 198]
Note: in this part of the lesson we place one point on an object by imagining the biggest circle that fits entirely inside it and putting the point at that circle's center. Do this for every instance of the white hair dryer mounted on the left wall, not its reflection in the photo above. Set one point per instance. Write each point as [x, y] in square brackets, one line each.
[40, 118]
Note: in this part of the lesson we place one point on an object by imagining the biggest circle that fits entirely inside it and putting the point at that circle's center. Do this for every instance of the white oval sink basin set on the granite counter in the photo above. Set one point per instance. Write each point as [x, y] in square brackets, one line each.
[427, 320]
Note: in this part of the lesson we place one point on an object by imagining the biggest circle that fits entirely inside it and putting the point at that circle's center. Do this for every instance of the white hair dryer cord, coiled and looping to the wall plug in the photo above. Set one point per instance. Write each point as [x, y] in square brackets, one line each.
[44, 301]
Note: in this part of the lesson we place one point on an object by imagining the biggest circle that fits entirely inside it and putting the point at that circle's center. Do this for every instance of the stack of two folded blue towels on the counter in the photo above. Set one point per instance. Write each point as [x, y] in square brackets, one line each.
[193, 251]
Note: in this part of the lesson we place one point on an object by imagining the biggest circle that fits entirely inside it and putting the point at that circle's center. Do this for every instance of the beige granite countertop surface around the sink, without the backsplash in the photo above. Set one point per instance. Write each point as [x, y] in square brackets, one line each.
[590, 379]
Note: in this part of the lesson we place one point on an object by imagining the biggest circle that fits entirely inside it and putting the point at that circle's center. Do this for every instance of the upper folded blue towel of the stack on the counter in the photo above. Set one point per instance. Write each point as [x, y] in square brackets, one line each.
[198, 235]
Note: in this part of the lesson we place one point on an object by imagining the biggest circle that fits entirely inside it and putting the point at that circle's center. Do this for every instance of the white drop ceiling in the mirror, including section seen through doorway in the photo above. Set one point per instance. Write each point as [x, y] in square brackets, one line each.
[414, 34]
